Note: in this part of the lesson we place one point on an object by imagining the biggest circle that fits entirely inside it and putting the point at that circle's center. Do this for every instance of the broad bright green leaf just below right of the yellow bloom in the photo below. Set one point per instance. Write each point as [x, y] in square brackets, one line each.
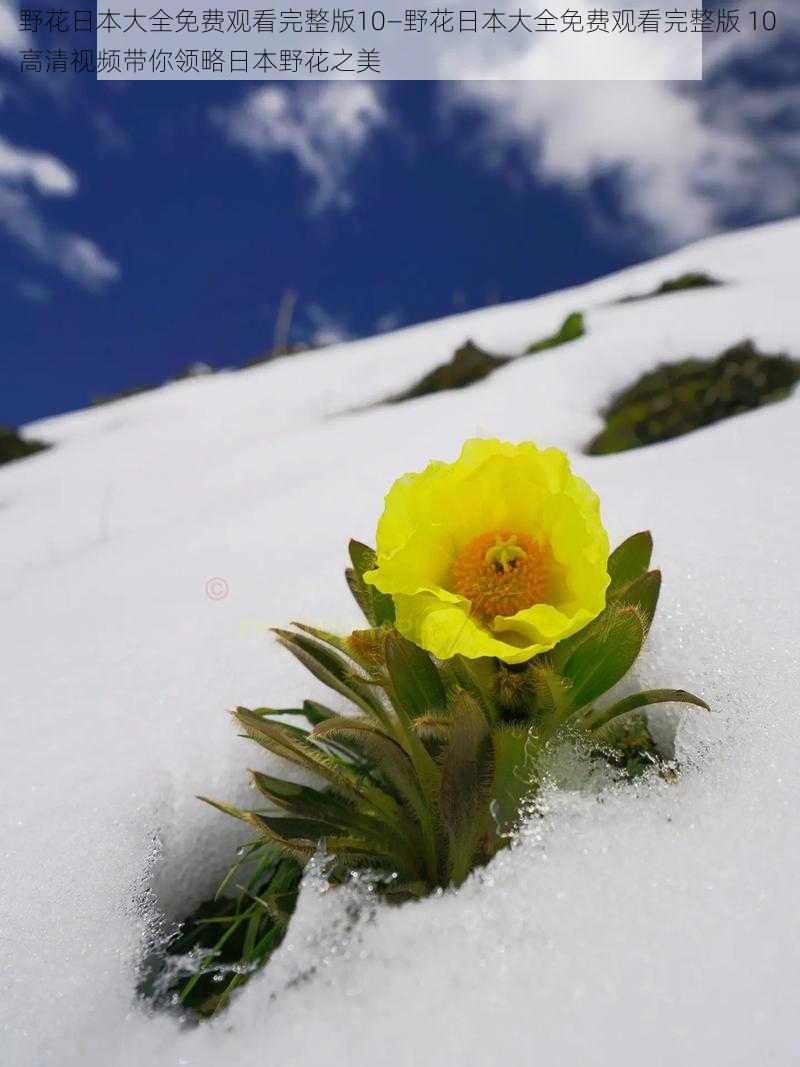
[606, 656]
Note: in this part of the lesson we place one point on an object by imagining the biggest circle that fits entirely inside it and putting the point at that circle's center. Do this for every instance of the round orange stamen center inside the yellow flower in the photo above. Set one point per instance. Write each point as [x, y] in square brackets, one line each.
[502, 574]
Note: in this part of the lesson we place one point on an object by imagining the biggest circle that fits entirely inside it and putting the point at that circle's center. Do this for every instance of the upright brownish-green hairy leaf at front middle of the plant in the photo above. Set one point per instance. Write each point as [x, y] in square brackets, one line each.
[468, 779]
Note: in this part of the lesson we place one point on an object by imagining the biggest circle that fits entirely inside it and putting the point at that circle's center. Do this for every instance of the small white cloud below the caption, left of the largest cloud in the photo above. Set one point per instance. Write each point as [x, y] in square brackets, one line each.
[326, 128]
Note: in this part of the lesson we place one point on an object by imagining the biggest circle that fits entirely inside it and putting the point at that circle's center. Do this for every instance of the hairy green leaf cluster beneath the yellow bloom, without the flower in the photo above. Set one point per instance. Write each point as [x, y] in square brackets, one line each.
[433, 771]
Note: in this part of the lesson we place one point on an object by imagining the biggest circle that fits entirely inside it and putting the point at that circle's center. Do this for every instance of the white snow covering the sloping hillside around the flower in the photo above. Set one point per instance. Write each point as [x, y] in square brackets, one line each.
[659, 922]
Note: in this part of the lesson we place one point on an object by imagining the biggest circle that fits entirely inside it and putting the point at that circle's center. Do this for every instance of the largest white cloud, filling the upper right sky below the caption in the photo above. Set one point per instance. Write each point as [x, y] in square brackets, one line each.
[683, 160]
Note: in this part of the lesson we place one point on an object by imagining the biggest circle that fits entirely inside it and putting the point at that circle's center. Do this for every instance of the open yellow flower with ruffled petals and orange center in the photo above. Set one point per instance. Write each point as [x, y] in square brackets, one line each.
[502, 553]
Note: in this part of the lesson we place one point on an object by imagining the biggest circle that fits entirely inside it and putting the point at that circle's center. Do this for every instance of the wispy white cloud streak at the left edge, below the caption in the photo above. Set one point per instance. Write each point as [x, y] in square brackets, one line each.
[76, 257]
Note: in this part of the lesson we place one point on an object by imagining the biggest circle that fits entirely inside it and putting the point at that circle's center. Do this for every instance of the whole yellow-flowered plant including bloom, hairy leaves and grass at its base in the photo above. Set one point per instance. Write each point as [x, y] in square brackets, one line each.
[497, 624]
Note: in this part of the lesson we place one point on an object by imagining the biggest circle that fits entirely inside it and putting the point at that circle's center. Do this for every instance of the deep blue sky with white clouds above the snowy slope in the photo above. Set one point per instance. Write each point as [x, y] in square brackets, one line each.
[145, 227]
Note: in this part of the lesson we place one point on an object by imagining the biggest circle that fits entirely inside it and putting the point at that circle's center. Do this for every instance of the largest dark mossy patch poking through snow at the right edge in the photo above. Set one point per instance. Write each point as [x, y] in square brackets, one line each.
[677, 399]
